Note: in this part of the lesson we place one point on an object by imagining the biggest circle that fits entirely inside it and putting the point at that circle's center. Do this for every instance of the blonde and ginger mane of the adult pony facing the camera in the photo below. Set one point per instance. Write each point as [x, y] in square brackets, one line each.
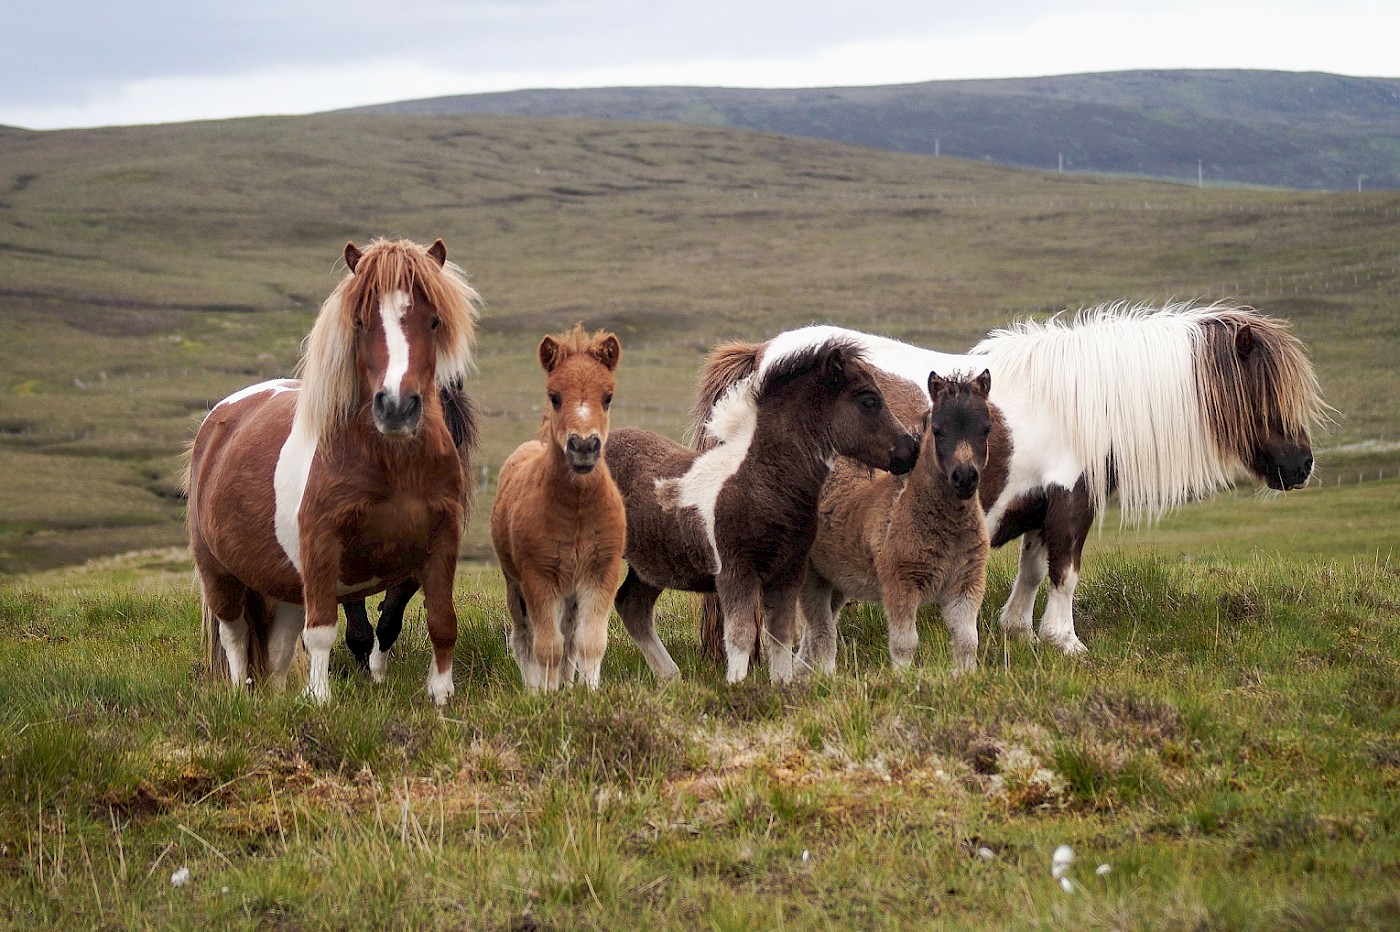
[330, 387]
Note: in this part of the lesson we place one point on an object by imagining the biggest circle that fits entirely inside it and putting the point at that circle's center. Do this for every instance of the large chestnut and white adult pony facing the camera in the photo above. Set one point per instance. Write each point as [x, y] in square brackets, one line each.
[345, 483]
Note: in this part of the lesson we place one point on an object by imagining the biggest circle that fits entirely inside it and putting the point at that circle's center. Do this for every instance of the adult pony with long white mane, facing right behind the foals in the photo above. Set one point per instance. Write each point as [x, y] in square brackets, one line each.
[1161, 407]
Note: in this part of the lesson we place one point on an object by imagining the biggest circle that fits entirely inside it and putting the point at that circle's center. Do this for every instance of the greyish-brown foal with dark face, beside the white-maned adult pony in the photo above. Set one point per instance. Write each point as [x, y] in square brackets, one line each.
[908, 542]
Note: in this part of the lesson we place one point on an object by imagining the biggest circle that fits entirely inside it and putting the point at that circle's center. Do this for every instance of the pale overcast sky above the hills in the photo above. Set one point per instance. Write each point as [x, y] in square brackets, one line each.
[90, 64]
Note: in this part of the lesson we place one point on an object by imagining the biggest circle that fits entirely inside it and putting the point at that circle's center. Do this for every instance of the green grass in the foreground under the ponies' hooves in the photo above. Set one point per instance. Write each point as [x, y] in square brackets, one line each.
[1228, 748]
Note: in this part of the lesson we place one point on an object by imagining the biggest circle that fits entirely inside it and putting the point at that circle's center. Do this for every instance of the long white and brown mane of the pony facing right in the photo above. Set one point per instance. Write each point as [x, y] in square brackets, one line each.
[1157, 402]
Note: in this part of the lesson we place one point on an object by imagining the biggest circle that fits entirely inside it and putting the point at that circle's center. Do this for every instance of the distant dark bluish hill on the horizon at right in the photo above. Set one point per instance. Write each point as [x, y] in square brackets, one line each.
[1305, 131]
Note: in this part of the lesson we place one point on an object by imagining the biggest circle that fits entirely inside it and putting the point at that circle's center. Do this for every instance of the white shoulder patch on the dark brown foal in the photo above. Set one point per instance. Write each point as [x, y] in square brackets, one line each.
[733, 423]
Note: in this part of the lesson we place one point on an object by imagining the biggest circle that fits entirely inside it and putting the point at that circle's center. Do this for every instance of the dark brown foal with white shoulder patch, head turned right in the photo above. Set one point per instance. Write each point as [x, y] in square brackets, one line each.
[740, 518]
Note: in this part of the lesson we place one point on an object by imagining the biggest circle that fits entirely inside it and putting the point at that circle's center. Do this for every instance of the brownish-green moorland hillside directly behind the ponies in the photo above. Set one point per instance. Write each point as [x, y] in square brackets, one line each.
[148, 272]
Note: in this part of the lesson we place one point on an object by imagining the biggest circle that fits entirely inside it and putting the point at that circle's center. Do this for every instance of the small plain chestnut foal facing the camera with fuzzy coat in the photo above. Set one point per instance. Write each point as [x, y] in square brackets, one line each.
[558, 524]
